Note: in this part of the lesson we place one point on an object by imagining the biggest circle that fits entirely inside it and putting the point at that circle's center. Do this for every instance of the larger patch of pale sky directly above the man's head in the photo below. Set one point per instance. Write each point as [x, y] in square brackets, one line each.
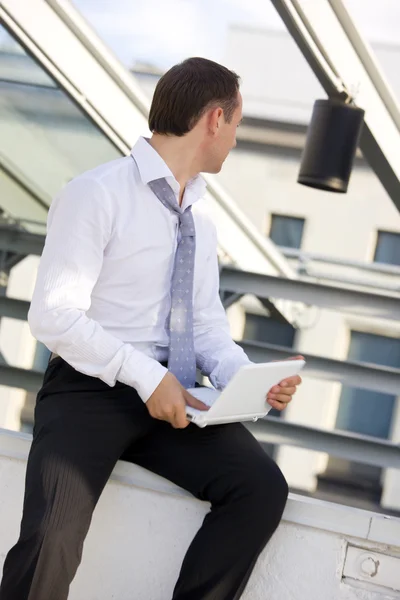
[164, 32]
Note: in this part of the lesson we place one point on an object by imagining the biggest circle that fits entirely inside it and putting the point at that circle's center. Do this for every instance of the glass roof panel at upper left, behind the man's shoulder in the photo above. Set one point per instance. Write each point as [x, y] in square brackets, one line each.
[45, 139]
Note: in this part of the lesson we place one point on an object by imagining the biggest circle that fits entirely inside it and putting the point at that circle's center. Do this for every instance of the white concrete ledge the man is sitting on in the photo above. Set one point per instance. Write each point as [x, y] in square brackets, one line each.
[144, 524]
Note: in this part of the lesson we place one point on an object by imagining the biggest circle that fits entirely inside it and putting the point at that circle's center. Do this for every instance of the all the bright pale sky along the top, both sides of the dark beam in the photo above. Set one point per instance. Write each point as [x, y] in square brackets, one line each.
[163, 32]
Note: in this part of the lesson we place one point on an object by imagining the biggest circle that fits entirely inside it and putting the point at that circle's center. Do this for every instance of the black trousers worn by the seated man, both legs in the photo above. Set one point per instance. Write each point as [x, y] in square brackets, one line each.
[82, 428]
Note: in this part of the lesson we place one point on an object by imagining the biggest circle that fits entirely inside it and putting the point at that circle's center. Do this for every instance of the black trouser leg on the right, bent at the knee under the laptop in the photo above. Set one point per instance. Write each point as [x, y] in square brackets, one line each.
[226, 466]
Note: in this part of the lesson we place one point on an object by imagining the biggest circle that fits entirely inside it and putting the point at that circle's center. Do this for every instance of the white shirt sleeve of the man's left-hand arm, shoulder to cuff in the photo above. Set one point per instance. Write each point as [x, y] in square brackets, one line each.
[79, 228]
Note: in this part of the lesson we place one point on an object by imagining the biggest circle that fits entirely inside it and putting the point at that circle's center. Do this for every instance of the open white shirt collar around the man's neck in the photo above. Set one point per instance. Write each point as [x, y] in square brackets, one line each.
[151, 166]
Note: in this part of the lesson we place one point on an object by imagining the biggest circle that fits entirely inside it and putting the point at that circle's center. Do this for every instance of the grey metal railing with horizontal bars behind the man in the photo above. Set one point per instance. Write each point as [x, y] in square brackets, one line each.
[364, 449]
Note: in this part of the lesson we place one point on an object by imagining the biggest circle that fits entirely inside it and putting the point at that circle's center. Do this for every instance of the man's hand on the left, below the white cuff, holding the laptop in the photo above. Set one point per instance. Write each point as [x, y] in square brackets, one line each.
[168, 402]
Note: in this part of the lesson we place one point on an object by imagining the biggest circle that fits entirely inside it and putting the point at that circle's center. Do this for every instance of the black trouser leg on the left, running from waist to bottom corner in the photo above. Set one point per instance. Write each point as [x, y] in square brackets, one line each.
[81, 428]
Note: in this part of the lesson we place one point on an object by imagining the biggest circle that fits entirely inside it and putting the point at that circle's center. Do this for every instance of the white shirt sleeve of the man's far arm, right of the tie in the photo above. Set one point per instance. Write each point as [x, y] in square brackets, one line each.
[217, 355]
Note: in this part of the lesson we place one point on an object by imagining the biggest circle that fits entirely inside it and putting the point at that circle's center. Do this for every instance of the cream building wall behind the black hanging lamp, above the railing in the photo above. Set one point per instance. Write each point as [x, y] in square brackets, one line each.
[339, 225]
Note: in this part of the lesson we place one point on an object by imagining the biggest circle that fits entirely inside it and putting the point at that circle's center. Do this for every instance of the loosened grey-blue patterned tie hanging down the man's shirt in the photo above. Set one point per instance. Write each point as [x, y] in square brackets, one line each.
[182, 358]
